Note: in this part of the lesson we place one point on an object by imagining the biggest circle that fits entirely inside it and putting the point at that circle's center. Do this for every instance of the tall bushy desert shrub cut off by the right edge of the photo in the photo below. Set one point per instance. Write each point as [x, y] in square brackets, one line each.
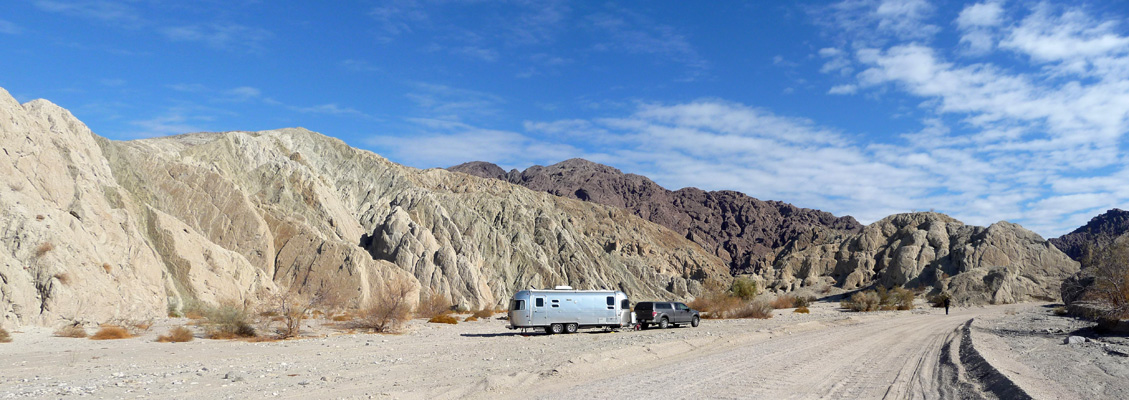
[1110, 271]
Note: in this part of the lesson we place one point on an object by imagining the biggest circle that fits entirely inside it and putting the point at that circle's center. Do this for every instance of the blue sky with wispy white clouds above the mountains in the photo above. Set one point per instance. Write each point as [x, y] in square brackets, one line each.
[987, 111]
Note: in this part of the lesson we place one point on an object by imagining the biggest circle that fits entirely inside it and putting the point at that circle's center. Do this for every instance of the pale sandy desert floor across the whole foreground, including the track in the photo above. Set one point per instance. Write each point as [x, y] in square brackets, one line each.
[827, 354]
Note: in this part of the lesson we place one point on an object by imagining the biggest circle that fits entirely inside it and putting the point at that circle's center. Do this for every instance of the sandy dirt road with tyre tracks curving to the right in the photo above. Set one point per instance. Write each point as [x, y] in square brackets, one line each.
[895, 358]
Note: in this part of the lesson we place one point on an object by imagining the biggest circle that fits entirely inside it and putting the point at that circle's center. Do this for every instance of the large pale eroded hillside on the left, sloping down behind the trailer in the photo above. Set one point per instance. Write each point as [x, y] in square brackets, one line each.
[97, 230]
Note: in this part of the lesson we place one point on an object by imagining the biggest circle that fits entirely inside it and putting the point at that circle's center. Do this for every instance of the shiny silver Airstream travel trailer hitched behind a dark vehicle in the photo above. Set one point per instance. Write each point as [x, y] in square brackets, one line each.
[565, 310]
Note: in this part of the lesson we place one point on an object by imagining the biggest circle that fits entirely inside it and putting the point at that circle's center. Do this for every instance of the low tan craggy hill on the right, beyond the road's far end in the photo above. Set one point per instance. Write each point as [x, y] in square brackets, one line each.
[1001, 264]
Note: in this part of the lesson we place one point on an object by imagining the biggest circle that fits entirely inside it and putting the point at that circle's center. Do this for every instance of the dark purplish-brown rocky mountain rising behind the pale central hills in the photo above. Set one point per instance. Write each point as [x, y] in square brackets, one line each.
[749, 234]
